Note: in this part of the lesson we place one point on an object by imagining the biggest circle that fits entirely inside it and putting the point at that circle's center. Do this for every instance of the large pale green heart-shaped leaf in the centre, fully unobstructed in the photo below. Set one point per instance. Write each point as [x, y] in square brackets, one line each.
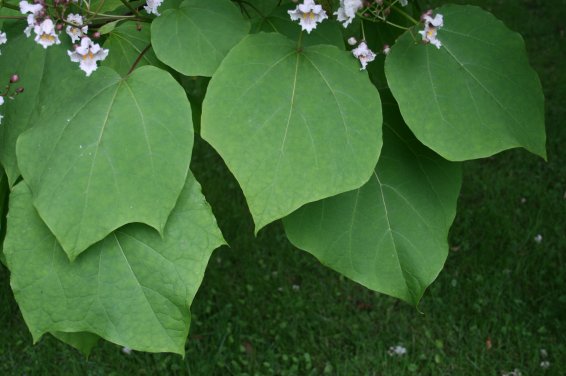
[293, 125]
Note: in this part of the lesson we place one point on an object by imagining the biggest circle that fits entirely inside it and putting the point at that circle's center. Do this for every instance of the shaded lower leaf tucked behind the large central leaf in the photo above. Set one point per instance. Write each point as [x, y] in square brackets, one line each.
[391, 234]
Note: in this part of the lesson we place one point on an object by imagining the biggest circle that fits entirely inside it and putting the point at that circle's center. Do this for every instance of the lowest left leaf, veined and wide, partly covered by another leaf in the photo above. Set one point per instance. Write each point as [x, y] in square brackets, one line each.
[133, 288]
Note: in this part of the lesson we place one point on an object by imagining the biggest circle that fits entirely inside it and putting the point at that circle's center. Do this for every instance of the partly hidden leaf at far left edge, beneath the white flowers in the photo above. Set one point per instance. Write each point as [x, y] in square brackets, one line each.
[38, 69]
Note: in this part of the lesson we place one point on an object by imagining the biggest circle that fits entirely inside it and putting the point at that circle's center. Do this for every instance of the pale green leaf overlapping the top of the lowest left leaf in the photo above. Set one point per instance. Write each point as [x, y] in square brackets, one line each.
[108, 151]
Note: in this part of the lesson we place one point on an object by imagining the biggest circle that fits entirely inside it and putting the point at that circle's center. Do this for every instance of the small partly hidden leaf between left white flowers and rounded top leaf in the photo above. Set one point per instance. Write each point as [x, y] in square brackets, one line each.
[126, 43]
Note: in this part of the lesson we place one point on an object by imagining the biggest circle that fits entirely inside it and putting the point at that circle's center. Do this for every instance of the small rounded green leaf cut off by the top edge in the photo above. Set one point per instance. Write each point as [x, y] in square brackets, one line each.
[194, 38]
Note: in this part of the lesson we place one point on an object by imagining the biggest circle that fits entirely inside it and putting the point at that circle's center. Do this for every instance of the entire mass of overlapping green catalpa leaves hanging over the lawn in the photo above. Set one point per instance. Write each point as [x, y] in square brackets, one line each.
[104, 159]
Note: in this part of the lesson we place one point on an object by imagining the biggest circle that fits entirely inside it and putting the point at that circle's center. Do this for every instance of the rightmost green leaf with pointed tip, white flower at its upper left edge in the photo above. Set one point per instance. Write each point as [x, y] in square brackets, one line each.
[473, 97]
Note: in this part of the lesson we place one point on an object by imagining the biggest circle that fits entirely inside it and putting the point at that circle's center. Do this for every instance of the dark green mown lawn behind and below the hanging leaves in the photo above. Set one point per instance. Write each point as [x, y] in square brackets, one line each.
[498, 283]
